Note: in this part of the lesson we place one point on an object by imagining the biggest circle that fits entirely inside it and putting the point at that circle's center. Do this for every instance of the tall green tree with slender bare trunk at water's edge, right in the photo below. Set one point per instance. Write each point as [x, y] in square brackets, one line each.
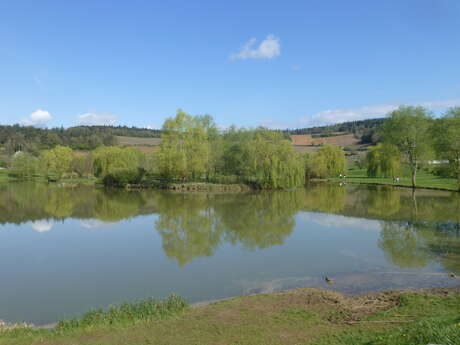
[408, 128]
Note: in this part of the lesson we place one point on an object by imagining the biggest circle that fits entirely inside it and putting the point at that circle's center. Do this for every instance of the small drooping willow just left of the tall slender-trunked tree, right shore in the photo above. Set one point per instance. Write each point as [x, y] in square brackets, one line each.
[383, 160]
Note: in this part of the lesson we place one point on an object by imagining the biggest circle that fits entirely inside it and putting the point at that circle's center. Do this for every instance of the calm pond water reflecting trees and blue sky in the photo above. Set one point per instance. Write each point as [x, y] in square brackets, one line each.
[65, 250]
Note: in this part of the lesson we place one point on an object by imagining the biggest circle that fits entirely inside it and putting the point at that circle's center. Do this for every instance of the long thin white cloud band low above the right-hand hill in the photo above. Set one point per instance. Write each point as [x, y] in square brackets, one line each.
[332, 116]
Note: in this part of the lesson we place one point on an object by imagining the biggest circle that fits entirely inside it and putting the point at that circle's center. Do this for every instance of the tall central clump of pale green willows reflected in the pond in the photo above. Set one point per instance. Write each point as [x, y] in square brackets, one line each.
[193, 150]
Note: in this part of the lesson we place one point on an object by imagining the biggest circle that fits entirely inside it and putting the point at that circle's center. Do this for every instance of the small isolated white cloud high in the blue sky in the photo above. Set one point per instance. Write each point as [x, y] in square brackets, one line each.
[269, 48]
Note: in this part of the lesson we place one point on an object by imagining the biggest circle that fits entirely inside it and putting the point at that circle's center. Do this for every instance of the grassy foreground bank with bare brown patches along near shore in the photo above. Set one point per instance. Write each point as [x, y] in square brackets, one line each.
[303, 316]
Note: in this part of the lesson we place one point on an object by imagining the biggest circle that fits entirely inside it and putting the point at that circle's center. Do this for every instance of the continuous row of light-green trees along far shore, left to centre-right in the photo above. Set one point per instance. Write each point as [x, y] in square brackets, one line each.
[192, 149]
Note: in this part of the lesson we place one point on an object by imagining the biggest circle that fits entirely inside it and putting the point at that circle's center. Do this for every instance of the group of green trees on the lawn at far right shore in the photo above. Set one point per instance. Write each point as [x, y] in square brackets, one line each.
[412, 136]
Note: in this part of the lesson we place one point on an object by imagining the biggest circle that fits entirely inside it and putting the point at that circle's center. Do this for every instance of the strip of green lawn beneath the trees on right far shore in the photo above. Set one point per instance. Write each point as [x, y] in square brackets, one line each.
[424, 180]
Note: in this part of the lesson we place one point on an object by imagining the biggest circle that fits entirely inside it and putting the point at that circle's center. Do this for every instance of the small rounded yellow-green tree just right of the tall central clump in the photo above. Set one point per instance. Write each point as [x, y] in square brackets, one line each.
[328, 161]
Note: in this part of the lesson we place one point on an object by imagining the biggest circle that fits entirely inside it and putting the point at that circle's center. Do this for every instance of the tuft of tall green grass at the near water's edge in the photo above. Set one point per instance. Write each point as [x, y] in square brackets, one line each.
[149, 309]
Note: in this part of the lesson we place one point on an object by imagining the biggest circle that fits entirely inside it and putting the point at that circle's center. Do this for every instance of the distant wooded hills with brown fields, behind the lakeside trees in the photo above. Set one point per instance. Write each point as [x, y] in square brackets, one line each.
[26, 138]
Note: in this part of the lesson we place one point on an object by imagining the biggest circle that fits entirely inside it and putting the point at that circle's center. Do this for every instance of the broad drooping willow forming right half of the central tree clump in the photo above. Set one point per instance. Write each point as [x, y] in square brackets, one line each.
[271, 161]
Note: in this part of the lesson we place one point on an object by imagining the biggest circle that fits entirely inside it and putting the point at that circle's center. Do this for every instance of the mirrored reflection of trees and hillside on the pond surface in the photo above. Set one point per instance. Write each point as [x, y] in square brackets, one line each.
[415, 228]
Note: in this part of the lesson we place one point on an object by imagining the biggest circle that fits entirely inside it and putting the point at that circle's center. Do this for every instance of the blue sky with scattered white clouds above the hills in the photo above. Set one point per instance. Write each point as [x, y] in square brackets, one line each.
[274, 63]
